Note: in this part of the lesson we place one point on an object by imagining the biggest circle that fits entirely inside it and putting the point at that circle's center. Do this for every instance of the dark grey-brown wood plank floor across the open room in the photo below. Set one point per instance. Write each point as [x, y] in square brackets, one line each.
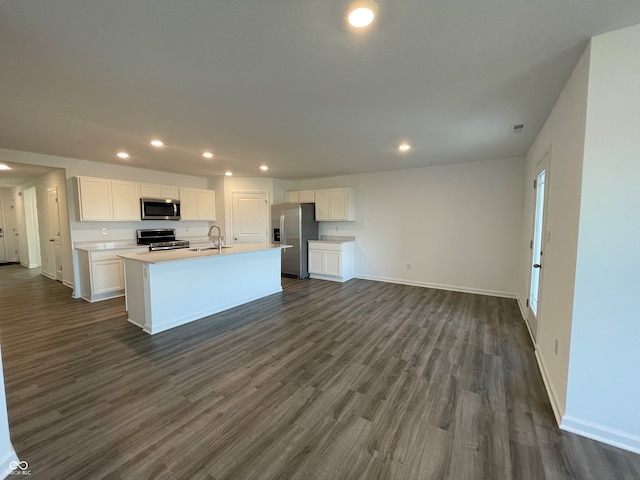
[362, 380]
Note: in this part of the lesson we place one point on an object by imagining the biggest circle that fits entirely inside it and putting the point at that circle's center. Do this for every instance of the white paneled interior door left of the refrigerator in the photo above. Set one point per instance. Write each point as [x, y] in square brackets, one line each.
[249, 217]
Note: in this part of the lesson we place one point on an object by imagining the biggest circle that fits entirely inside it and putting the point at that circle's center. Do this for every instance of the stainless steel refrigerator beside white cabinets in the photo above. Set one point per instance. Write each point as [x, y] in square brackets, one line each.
[294, 224]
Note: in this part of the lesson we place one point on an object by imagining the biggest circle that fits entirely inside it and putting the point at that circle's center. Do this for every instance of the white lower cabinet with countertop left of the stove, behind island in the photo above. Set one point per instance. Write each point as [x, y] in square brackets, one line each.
[102, 273]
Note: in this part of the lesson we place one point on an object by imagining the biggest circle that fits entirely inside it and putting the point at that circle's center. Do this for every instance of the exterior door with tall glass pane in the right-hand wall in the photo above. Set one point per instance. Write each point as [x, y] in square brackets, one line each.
[541, 189]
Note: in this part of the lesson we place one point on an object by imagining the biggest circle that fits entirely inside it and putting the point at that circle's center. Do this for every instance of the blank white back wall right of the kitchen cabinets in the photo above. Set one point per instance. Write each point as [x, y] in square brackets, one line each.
[458, 226]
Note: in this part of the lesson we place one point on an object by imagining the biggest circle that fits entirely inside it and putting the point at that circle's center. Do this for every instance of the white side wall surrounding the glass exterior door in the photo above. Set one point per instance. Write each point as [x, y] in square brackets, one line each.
[563, 133]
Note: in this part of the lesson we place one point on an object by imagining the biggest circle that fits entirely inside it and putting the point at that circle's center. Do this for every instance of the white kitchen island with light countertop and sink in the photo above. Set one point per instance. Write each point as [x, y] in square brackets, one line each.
[166, 289]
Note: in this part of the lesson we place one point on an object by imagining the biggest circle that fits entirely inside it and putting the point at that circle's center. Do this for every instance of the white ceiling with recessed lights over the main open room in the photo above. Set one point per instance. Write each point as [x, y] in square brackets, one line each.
[285, 82]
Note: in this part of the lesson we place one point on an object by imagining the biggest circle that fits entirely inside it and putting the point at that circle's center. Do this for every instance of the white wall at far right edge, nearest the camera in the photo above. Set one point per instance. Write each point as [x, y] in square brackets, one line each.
[604, 373]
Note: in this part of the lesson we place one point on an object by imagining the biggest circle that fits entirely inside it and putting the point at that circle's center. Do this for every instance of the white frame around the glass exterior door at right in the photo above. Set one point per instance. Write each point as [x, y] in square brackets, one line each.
[544, 163]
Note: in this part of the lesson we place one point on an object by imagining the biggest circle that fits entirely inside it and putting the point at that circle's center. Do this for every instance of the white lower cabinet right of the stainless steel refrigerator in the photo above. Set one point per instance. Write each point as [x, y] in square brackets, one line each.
[332, 260]
